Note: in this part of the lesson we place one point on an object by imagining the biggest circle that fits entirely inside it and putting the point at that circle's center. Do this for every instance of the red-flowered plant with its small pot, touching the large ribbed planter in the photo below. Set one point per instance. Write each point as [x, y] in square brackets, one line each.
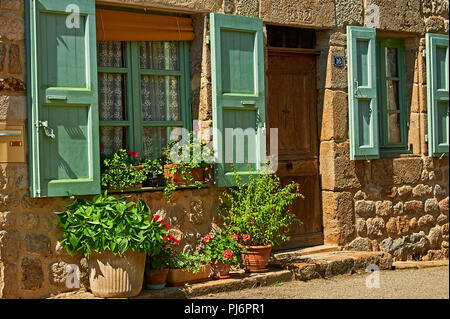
[160, 258]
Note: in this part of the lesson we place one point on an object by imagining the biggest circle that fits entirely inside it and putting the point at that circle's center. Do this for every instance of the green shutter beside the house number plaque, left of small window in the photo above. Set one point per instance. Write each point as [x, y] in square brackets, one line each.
[362, 93]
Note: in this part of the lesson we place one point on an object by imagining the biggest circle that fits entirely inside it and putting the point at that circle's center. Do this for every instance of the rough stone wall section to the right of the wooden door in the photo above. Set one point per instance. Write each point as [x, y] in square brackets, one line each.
[397, 204]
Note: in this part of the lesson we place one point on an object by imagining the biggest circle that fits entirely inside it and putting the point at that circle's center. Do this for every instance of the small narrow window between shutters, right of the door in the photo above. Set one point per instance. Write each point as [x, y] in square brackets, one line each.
[391, 95]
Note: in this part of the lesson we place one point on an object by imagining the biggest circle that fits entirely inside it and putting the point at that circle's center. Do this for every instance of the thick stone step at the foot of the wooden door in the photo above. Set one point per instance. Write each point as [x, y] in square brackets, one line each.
[328, 264]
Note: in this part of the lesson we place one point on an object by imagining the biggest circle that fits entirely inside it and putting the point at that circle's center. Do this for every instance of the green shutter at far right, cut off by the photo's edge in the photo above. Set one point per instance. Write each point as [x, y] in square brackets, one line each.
[437, 95]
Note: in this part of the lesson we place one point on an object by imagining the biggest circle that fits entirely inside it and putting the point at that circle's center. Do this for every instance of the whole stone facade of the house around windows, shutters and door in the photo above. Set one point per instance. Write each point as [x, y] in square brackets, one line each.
[397, 204]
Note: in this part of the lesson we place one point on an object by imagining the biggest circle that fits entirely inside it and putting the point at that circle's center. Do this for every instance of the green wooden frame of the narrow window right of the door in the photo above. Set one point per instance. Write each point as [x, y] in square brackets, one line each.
[386, 148]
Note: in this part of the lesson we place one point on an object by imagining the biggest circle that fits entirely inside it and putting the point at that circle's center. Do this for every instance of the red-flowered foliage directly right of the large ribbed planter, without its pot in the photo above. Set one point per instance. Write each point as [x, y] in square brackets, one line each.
[163, 251]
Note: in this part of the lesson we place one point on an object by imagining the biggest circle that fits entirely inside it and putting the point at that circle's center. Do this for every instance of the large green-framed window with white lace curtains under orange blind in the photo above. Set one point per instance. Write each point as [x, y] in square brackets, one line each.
[143, 94]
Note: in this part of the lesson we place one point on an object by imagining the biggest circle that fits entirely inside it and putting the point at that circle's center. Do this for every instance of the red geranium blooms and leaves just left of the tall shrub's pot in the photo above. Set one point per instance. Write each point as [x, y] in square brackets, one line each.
[223, 247]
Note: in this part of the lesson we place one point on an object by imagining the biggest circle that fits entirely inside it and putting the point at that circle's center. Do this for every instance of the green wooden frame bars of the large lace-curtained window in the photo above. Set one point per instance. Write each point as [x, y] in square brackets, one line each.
[133, 73]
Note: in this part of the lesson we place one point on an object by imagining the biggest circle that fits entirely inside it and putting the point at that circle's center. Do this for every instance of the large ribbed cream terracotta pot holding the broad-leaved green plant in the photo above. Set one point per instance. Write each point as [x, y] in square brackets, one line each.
[116, 276]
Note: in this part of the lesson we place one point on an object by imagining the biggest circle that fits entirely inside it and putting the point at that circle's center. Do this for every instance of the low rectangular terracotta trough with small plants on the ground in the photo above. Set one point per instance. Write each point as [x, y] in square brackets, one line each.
[188, 269]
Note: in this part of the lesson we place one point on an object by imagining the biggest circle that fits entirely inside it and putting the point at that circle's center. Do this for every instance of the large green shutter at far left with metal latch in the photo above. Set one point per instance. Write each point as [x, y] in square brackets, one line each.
[63, 101]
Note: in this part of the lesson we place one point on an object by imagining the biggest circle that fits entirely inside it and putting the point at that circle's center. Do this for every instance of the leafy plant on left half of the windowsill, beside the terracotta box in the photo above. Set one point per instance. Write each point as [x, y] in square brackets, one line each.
[123, 170]
